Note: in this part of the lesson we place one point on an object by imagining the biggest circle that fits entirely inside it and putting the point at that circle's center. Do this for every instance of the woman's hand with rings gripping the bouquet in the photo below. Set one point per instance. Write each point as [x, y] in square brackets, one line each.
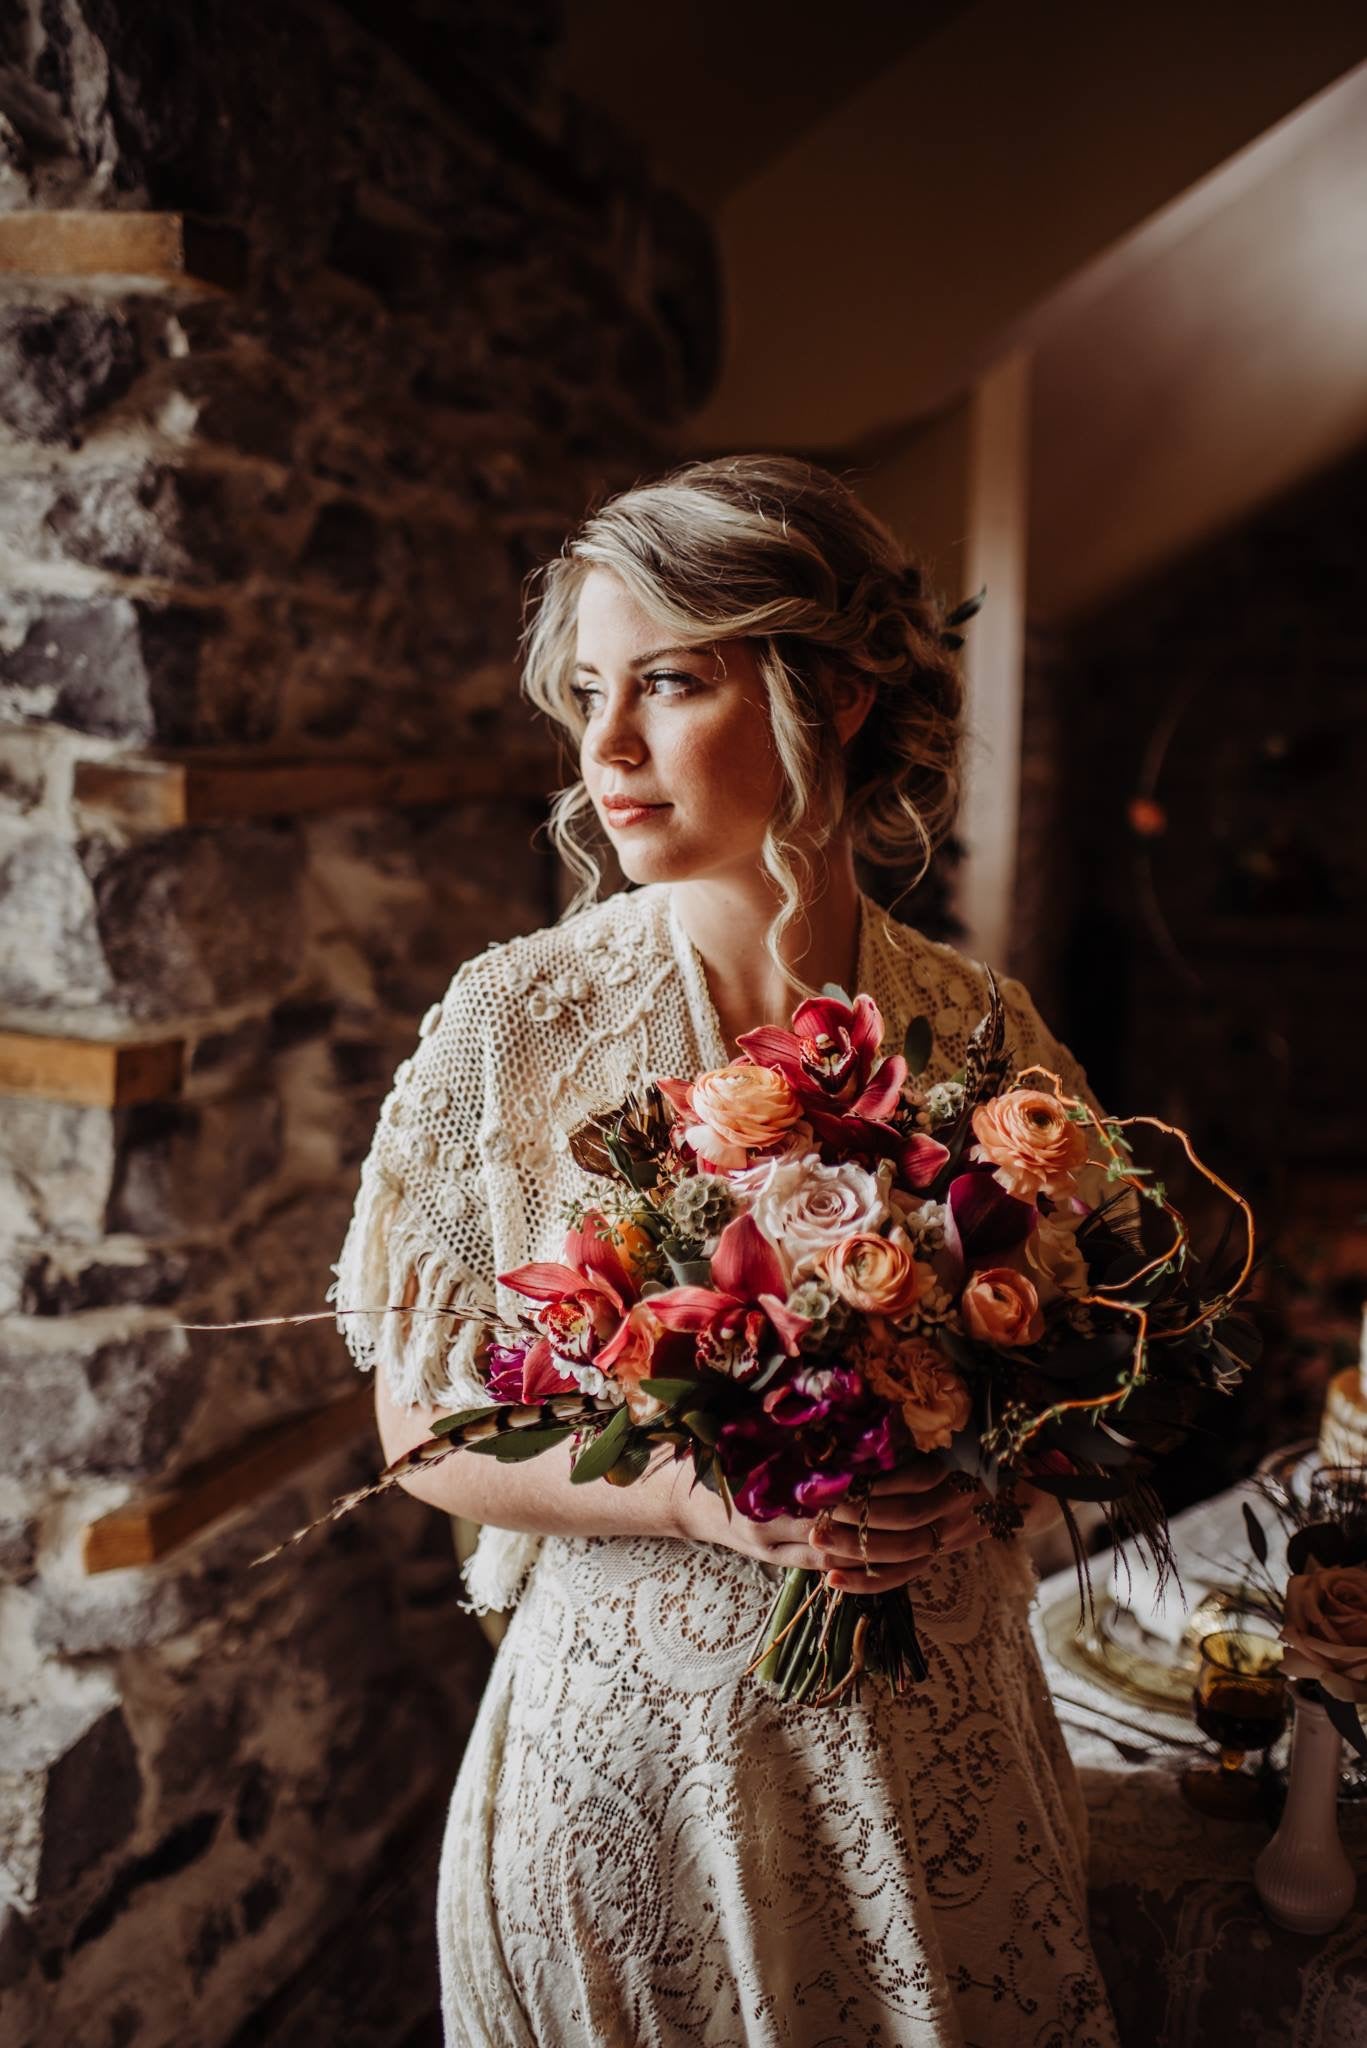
[913, 1519]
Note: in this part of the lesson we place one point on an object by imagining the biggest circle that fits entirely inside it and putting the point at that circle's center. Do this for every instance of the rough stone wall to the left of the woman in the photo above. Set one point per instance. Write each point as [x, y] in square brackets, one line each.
[290, 519]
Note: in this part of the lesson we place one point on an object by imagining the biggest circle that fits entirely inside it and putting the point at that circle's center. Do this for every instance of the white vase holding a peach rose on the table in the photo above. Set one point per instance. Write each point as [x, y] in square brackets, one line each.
[1304, 1879]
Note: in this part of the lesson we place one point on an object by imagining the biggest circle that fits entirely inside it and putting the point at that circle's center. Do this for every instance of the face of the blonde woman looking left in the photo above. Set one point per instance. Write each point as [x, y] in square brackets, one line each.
[677, 755]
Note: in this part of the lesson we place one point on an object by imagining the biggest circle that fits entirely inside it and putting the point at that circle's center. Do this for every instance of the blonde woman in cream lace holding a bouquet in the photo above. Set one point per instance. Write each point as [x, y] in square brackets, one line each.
[645, 1848]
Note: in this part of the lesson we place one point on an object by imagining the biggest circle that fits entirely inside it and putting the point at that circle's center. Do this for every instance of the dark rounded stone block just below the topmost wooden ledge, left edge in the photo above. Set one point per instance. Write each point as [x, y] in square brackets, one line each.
[63, 366]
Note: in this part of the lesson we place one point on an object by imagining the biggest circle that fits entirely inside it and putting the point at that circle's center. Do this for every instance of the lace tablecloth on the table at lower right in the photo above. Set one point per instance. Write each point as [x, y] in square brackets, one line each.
[1190, 1957]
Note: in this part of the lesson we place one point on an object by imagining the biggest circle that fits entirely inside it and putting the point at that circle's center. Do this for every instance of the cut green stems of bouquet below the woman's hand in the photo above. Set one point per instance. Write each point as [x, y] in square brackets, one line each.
[819, 1644]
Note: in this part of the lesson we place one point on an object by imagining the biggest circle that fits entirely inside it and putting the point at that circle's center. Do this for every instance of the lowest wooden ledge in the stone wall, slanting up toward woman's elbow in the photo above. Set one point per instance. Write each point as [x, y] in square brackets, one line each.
[149, 1531]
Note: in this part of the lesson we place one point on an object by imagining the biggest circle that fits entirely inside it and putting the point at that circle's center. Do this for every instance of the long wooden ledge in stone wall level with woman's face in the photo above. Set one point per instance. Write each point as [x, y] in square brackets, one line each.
[169, 792]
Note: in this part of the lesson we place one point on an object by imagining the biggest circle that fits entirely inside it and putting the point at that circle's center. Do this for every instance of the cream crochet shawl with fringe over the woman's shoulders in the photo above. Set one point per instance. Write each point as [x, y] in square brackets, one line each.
[470, 1166]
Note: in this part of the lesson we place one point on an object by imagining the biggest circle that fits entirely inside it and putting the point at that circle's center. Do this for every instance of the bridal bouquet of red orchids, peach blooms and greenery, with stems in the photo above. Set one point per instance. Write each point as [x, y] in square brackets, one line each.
[809, 1269]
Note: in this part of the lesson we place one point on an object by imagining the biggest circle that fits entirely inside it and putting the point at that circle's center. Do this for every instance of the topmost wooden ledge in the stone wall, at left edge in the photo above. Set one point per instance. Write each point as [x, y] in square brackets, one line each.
[171, 249]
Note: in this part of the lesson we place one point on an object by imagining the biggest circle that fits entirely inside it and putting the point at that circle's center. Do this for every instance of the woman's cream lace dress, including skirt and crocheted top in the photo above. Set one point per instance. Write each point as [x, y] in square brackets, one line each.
[645, 1848]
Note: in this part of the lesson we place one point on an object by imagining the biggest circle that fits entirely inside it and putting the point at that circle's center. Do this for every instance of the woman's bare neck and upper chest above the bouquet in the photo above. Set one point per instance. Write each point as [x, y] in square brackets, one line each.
[729, 916]
